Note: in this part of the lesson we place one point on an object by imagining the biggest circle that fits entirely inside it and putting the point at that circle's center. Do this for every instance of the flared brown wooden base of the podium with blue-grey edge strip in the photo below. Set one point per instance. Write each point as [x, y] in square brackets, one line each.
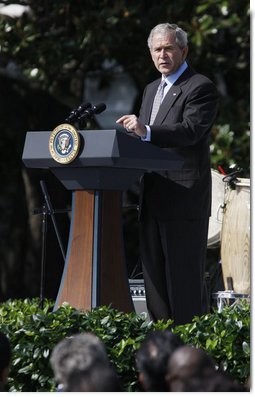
[95, 272]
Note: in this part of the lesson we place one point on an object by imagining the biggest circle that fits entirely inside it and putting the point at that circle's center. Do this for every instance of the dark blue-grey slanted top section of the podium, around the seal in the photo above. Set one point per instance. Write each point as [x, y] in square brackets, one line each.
[101, 148]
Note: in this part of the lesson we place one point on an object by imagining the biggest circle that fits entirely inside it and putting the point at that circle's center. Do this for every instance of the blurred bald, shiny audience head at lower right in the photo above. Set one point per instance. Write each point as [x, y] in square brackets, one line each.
[186, 363]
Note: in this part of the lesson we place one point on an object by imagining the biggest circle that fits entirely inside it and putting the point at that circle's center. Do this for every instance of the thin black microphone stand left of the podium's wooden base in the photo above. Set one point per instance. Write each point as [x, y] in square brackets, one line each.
[46, 210]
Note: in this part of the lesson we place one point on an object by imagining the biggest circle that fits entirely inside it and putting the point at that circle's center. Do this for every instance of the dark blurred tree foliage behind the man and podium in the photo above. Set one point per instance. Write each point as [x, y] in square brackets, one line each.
[45, 54]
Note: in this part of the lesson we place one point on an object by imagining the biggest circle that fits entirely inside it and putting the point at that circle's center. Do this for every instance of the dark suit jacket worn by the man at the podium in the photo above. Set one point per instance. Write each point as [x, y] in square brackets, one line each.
[183, 123]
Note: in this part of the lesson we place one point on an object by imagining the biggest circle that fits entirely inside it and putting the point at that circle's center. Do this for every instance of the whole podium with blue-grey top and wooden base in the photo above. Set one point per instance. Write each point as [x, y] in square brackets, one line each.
[108, 162]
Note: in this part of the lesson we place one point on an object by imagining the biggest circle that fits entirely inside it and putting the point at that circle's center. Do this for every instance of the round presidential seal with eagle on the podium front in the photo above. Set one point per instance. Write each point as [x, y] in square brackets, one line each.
[64, 143]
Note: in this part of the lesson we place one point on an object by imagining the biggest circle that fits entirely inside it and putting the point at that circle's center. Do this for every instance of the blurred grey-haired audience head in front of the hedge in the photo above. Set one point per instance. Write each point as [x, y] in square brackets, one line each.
[80, 354]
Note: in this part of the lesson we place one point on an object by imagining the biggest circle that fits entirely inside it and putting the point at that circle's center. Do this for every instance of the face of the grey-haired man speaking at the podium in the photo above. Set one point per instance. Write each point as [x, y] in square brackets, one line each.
[166, 54]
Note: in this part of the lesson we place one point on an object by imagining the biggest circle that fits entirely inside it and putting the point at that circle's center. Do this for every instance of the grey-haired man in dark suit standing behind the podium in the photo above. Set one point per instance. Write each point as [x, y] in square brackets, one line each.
[175, 205]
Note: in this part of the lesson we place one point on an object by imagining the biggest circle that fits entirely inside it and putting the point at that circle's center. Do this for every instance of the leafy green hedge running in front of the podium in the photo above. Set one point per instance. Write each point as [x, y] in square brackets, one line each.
[34, 332]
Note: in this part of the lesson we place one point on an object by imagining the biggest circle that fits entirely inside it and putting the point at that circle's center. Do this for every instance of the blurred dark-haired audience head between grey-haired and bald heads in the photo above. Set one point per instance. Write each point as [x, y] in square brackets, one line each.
[152, 358]
